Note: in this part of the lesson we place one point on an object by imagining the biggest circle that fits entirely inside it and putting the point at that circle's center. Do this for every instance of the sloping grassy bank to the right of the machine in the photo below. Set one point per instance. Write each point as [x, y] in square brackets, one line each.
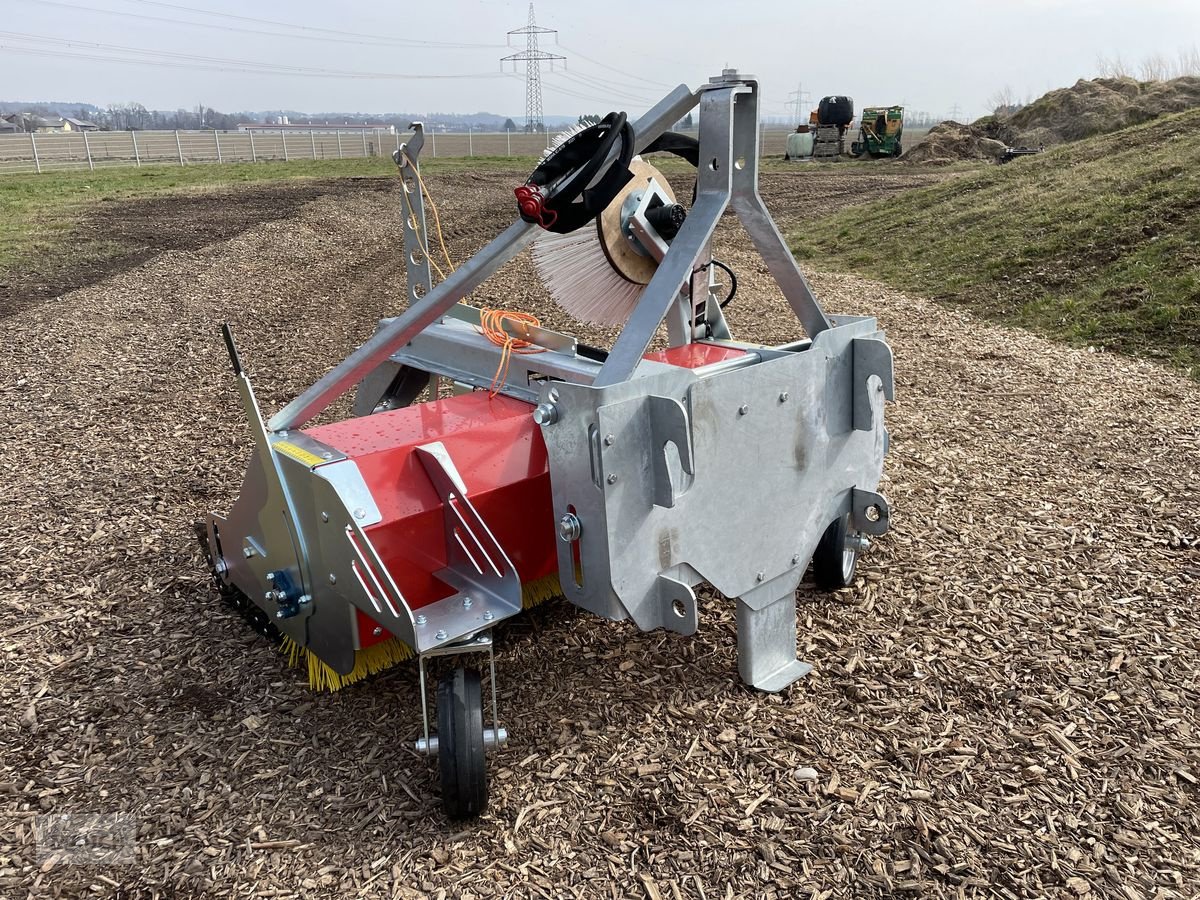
[1094, 243]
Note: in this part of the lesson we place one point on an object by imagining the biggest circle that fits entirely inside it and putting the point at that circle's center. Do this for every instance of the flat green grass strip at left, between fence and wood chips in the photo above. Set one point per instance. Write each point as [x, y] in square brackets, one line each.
[39, 214]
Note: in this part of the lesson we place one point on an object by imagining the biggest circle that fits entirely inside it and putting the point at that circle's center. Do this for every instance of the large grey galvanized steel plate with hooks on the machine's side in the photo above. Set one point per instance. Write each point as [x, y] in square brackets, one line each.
[741, 489]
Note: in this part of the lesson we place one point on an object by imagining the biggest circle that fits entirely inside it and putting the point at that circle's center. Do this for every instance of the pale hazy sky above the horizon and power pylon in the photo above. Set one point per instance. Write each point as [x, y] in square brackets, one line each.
[929, 55]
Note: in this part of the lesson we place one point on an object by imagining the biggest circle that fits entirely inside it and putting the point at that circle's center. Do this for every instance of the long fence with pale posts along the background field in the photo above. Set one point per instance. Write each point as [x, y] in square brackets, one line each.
[103, 149]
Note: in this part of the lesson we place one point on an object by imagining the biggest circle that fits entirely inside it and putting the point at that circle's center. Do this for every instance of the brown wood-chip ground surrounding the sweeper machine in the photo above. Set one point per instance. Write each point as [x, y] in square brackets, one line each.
[1004, 706]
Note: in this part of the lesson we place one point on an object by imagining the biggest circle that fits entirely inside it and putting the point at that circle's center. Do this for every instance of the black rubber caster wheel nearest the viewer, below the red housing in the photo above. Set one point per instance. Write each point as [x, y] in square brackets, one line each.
[461, 764]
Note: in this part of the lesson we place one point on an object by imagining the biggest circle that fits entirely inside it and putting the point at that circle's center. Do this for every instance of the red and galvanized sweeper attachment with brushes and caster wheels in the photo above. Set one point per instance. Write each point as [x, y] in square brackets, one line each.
[493, 463]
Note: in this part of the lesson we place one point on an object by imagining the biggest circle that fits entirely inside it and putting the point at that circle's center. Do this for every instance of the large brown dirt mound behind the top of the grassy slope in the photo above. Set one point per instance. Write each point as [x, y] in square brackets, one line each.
[1101, 106]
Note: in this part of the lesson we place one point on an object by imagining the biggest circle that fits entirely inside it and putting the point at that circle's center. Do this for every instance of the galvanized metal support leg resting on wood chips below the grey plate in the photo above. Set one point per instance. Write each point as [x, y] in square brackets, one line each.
[767, 643]
